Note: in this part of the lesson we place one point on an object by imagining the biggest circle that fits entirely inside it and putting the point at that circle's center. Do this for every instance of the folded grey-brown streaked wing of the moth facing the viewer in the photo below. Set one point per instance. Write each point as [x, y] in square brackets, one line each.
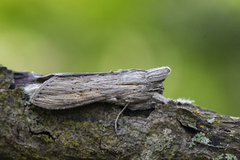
[67, 92]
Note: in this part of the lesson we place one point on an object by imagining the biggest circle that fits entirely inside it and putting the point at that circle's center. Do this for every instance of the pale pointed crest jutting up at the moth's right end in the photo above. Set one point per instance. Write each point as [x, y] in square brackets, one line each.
[158, 74]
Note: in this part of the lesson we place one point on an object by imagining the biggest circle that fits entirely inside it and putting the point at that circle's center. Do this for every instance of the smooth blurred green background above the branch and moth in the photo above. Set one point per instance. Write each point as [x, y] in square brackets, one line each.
[198, 40]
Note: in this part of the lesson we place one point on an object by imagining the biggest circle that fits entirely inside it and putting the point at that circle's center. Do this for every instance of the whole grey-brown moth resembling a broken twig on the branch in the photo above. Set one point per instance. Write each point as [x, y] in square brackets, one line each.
[142, 89]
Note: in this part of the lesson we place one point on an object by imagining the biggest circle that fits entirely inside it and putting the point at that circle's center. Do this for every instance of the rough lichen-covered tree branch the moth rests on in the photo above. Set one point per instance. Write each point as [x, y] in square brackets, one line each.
[170, 131]
